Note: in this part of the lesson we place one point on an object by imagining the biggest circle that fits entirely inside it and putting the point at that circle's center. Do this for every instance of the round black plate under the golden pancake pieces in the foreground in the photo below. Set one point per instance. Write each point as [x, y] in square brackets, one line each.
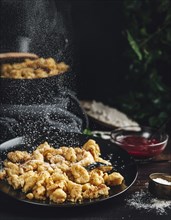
[120, 159]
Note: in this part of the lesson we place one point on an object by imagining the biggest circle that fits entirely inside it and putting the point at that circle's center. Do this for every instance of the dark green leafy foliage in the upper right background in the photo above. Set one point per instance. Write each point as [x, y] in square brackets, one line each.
[148, 34]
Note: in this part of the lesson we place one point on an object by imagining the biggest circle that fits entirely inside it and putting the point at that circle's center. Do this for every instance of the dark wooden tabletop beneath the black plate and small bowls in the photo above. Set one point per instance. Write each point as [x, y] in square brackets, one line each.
[115, 208]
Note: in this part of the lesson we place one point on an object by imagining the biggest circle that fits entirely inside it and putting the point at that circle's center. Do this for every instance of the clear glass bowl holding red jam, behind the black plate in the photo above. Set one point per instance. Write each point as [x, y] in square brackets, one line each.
[139, 141]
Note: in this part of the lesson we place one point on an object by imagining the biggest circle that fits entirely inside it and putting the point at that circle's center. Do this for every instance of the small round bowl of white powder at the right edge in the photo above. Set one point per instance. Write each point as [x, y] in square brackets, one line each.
[160, 185]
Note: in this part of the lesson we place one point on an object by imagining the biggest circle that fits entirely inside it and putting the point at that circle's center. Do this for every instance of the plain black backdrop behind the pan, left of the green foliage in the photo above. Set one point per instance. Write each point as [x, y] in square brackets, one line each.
[94, 44]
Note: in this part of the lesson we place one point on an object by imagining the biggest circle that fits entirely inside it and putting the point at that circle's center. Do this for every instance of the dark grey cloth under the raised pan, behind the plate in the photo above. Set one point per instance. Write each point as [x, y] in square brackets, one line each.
[65, 114]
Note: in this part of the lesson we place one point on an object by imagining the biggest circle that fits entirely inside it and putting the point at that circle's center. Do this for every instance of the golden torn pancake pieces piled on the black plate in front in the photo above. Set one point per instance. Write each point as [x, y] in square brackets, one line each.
[60, 174]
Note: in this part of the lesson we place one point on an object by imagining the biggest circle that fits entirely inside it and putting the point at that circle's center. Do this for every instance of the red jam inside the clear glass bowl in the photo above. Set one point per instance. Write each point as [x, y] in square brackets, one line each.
[140, 147]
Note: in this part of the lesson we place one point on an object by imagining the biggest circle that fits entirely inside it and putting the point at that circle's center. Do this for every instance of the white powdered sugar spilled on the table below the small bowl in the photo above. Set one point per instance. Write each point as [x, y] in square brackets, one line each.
[144, 200]
